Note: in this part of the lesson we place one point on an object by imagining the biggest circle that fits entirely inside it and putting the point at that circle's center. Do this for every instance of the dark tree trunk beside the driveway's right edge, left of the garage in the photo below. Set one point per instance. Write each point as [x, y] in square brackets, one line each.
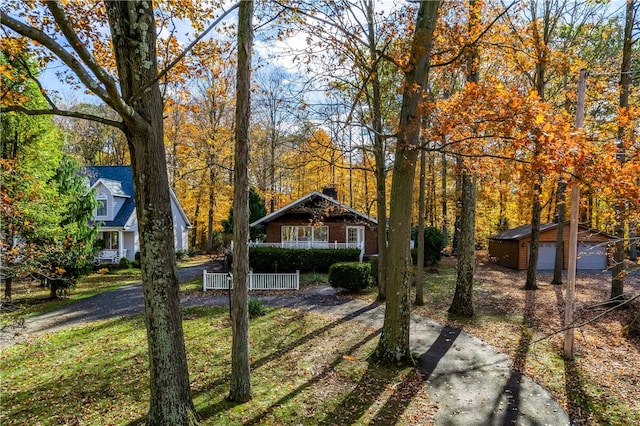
[462, 303]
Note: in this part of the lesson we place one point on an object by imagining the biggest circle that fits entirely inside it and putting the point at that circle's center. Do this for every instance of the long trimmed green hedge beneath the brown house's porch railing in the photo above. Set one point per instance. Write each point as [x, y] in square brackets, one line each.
[275, 259]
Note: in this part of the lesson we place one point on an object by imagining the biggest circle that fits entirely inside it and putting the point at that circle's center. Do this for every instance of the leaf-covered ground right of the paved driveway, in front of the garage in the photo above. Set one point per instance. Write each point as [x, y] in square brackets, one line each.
[601, 385]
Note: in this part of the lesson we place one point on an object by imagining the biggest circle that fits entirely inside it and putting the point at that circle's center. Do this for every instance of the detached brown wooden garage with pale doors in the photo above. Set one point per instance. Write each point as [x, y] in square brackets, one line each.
[511, 248]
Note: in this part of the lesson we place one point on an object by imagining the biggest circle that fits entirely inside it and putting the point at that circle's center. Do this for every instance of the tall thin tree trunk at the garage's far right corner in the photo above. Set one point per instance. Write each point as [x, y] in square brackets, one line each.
[617, 271]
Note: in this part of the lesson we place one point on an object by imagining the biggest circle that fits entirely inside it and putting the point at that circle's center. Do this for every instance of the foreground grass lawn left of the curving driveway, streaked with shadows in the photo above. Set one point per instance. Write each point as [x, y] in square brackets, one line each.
[306, 369]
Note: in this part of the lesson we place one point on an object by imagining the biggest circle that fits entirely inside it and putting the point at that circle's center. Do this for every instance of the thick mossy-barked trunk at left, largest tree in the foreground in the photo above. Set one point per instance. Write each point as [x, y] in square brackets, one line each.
[134, 42]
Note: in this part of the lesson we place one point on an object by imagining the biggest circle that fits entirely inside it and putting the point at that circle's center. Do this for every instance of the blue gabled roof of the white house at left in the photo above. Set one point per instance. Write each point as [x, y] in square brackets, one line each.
[118, 180]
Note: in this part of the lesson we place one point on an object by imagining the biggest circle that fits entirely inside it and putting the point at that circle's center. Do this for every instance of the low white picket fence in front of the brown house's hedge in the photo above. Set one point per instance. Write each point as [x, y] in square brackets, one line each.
[224, 280]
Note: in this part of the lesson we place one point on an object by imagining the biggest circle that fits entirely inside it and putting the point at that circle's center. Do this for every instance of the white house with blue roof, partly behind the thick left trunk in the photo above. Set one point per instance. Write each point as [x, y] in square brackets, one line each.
[116, 213]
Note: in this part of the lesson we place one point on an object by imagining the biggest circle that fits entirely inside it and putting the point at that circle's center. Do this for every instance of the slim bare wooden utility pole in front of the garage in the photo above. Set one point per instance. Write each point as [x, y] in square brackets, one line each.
[573, 234]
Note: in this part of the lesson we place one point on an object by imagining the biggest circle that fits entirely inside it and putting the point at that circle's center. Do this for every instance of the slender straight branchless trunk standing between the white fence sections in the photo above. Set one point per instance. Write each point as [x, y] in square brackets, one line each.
[240, 362]
